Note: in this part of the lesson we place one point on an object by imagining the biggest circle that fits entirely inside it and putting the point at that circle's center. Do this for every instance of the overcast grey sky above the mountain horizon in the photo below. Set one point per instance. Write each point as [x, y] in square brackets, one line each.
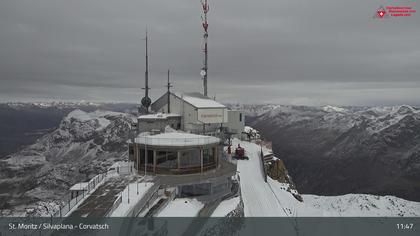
[260, 51]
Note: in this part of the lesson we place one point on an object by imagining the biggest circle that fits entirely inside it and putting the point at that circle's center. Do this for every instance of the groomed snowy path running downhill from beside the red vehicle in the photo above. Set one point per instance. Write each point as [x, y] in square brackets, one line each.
[258, 198]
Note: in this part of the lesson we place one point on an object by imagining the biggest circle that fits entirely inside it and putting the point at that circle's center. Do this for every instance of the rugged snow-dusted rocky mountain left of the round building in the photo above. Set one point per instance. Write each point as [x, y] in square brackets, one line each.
[83, 145]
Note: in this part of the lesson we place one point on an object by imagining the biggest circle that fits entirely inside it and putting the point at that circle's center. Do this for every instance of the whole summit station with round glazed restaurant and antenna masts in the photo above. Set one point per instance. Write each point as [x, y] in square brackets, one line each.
[184, 133]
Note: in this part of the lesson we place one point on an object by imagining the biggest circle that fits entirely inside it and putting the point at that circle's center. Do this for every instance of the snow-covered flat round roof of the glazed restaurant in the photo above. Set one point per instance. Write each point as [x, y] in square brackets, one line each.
[176, 139]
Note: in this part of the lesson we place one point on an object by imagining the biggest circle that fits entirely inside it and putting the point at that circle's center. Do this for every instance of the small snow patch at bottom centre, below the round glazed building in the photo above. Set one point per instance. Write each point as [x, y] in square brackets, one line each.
[182, 207]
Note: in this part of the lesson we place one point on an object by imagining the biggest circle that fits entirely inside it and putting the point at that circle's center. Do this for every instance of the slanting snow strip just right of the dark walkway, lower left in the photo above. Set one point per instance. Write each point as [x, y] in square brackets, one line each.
[130, 192]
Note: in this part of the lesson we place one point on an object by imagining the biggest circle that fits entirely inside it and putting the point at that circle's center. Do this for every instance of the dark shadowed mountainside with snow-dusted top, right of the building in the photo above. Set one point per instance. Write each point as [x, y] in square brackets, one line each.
[333, 151]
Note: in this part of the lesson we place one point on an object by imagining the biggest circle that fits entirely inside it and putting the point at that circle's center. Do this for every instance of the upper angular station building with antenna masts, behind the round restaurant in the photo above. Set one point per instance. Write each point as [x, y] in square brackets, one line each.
[191, 111]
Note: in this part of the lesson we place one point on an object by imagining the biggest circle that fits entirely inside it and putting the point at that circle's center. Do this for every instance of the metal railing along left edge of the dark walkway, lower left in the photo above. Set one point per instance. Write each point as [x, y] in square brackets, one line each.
[70, 204]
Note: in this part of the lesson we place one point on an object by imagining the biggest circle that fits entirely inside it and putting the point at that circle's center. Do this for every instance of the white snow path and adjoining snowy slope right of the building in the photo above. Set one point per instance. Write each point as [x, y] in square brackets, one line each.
[272, 199]
